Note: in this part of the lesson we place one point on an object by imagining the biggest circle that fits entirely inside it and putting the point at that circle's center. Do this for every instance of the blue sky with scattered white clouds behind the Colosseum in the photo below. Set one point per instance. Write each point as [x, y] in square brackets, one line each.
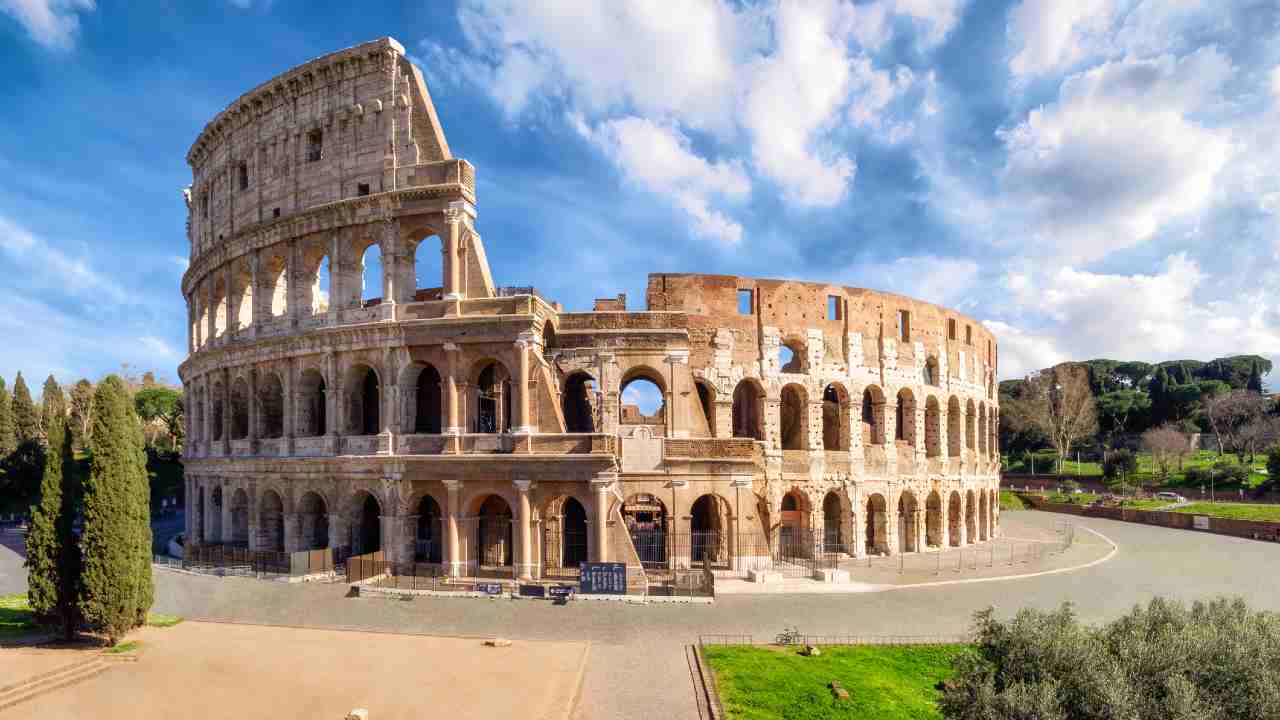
[1087, 177]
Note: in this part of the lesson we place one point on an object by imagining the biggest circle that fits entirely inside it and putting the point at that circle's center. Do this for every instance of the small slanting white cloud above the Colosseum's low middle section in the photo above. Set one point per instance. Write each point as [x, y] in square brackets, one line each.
[659, 160]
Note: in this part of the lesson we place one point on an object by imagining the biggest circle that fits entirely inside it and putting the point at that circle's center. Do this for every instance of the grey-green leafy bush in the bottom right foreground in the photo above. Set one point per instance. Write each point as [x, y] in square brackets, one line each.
[1215, 660]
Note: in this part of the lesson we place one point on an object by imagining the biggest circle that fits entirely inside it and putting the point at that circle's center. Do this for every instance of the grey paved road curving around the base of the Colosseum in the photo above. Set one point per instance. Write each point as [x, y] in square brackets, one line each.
[638, 668]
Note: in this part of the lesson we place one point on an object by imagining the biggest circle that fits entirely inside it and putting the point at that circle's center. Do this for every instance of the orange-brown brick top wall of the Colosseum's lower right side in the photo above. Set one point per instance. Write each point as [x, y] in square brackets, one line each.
[801, 308]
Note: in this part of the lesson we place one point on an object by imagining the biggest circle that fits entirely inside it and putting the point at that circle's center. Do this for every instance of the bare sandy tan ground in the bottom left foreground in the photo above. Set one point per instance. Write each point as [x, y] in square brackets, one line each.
[205, 671]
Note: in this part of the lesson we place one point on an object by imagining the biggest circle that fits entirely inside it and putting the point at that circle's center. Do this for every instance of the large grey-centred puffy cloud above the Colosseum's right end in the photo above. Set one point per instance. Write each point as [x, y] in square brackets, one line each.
[1117, 157]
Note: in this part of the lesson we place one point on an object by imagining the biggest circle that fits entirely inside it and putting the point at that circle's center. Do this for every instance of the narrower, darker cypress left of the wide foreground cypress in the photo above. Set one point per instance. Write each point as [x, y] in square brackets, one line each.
[53, 554]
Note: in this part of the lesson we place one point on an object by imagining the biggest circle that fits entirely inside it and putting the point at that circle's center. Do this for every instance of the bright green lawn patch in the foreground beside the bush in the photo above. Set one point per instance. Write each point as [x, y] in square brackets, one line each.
[884, 682]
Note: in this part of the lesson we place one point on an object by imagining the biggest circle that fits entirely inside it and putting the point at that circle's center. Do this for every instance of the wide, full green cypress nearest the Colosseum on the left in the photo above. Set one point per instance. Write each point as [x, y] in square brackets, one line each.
[117, 589]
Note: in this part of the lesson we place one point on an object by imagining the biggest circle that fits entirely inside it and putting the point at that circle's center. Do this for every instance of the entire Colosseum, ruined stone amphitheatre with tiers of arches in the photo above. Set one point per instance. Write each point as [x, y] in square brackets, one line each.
[441, 418]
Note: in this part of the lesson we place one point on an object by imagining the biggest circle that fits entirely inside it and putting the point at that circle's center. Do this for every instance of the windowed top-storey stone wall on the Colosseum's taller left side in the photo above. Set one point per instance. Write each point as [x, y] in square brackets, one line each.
[354, 122]
